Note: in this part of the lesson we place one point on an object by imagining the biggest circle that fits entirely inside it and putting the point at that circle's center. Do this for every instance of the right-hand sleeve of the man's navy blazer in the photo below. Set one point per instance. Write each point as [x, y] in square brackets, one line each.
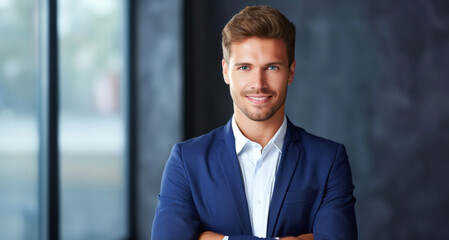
[336, 217]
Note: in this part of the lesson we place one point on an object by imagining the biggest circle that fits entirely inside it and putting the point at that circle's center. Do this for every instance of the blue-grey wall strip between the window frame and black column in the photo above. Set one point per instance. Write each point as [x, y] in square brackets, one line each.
[159, 97]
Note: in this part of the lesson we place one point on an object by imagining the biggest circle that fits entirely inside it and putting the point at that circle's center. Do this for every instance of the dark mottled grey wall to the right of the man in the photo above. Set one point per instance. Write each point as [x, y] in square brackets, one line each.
[374, 75]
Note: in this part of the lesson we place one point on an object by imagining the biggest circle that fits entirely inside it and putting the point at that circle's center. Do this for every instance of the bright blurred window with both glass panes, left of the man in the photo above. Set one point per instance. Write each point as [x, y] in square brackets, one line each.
[93, 166]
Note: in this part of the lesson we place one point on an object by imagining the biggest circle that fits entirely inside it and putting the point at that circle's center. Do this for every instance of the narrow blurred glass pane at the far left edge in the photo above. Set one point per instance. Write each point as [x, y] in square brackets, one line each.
[18, 120]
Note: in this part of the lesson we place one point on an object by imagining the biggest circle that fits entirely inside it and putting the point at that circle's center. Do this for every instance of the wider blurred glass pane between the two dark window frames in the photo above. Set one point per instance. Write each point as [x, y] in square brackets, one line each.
[92, 121]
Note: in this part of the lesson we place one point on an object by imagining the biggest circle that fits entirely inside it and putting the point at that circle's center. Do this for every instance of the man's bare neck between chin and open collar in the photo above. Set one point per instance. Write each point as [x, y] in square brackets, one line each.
[259, 131]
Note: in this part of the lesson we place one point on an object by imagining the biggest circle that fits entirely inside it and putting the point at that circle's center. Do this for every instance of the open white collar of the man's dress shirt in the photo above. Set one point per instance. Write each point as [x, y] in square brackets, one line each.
[277, 140]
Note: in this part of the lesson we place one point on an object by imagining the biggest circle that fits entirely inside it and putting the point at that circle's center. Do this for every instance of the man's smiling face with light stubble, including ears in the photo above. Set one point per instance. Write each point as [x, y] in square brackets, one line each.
[258, 75]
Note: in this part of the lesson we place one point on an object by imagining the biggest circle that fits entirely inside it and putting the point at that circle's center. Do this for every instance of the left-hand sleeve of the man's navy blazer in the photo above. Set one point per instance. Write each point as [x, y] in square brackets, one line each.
[176, 216]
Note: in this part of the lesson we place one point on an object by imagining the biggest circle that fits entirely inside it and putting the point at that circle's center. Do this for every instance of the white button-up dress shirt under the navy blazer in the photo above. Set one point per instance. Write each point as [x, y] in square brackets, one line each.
[259, 167]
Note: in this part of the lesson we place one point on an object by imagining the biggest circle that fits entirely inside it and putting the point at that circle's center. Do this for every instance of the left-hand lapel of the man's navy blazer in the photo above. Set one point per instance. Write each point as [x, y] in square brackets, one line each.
[233, 175]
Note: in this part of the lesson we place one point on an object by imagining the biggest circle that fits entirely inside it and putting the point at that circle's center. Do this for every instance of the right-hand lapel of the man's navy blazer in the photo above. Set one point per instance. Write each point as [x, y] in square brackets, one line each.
[287, 166]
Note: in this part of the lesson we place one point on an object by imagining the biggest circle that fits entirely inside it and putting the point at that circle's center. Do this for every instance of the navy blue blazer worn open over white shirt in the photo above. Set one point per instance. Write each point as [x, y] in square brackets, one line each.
[202, 189]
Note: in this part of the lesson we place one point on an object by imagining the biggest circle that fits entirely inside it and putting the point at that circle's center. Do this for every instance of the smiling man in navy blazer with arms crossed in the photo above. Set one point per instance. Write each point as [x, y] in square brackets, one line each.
[258, 176]
